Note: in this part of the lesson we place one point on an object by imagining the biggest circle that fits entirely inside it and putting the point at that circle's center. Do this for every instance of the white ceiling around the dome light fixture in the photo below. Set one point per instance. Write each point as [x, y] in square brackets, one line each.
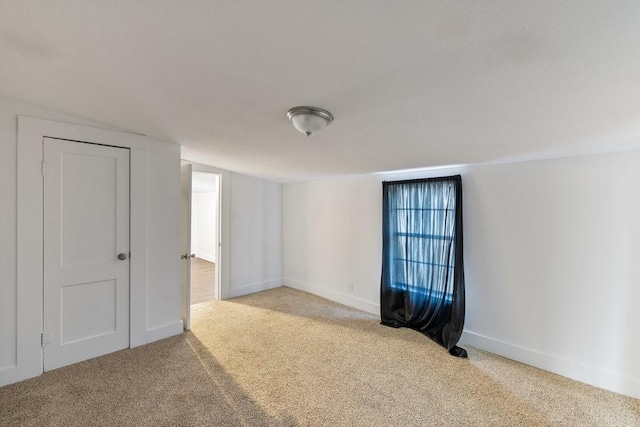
[411, 83]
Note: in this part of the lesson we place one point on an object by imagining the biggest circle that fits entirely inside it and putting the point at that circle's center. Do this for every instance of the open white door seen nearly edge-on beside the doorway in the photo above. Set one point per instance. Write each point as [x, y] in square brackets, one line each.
[186, 184]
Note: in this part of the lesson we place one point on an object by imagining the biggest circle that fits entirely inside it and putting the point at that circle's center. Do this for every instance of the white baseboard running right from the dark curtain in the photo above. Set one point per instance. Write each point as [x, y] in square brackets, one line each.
[568, 368]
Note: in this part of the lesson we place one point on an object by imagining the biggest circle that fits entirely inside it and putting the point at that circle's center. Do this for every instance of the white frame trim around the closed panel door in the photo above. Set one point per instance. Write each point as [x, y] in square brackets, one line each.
[31, 132]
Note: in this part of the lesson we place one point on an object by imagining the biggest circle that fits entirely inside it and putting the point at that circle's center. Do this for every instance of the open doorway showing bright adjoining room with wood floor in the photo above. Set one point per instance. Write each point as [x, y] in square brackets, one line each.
[205, 237]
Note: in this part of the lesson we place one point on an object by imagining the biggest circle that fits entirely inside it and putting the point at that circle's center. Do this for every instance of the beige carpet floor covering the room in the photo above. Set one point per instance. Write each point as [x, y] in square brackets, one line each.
[287, 358]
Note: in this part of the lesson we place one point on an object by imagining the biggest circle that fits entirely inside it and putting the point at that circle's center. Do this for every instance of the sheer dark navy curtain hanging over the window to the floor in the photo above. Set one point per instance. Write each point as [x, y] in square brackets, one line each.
[422, 285]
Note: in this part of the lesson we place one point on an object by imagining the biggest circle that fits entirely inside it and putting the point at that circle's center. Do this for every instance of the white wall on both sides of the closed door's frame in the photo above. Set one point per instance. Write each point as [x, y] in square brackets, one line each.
[163, 192]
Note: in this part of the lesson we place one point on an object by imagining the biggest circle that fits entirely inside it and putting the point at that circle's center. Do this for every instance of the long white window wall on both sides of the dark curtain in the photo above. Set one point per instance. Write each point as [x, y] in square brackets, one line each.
[550, 250]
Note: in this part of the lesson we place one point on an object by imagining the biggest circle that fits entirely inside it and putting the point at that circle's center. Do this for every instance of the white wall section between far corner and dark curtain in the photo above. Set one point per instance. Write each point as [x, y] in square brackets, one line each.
[332, 237]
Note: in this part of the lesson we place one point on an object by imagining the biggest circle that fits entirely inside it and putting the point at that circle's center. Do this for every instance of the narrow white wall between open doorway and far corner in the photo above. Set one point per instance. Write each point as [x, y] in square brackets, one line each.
[256, 235]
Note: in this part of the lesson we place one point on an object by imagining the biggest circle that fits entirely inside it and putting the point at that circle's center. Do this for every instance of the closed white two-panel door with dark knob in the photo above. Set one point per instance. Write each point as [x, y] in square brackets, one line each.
[86, 251]
